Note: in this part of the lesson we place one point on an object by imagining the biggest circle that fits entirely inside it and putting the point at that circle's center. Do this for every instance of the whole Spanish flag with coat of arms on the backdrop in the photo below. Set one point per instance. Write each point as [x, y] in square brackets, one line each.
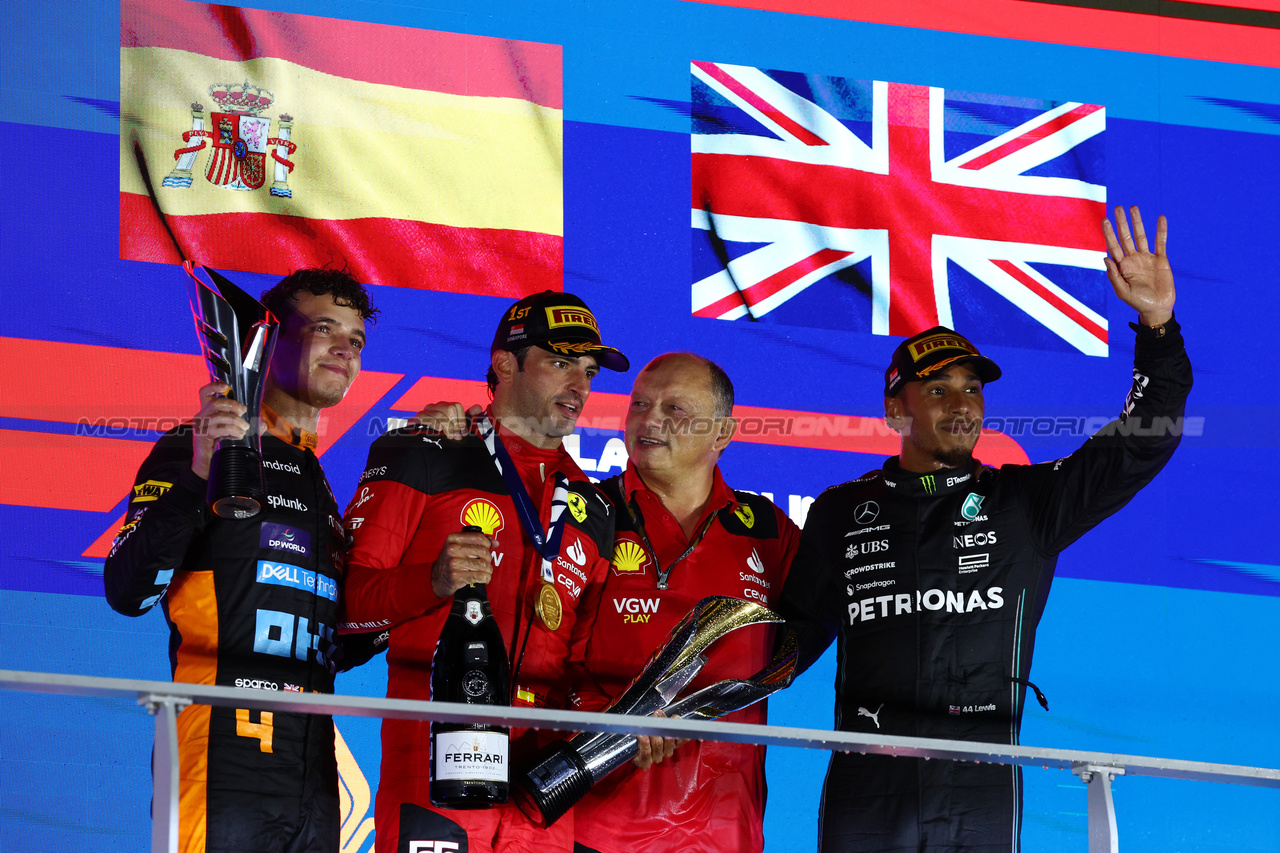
[264, 143]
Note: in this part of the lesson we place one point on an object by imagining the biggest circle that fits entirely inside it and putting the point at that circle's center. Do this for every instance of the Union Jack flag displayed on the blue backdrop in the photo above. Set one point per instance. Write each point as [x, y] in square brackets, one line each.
[889, 208]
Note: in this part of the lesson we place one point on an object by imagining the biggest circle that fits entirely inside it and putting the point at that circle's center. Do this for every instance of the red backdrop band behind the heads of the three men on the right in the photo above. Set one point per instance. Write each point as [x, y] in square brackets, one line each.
[757, 425]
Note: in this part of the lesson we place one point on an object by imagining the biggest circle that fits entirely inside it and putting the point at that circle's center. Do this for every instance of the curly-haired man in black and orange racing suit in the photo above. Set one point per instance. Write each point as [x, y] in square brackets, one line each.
[254, 603]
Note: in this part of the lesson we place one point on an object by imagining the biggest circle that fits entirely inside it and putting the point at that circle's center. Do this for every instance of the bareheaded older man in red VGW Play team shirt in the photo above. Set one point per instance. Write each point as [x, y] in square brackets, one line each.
[683, 535]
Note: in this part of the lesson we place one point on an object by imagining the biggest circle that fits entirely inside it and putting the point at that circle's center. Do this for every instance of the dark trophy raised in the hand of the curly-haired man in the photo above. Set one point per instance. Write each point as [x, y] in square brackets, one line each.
[237, 335]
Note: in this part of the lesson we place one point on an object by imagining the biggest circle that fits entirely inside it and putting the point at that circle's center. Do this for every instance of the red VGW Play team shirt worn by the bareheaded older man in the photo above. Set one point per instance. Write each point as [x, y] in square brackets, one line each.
[708, 796]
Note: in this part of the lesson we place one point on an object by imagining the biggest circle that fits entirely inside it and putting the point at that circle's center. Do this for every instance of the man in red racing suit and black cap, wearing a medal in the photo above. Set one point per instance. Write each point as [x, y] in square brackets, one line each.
[409, 558]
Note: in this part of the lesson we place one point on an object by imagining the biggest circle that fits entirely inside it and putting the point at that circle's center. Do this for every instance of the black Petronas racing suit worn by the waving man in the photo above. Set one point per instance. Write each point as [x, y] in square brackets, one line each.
[935, 586]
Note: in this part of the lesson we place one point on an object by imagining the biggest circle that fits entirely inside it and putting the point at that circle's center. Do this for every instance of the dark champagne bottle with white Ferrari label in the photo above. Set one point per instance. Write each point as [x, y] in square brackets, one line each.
[469, 763]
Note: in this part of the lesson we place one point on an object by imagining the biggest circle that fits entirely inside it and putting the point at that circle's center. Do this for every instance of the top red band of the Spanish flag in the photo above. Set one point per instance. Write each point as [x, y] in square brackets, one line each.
[440, 62]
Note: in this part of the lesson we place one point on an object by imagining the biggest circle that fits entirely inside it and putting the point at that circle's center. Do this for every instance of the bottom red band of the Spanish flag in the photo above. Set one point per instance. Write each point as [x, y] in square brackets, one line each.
[486, 262]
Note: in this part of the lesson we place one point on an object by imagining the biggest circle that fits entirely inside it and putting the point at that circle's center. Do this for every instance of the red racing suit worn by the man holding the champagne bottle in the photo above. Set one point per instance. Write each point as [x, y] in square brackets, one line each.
[419, 489]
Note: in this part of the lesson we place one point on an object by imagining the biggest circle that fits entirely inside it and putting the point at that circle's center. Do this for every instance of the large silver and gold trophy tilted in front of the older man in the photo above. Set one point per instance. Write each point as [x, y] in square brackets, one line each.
[561, 774]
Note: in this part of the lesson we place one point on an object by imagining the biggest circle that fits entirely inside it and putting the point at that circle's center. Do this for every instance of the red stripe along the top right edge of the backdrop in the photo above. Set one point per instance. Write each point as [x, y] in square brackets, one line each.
[1052, 24]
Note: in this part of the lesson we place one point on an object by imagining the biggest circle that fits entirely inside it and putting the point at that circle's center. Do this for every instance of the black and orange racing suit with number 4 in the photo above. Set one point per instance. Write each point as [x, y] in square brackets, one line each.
[250, 604]
